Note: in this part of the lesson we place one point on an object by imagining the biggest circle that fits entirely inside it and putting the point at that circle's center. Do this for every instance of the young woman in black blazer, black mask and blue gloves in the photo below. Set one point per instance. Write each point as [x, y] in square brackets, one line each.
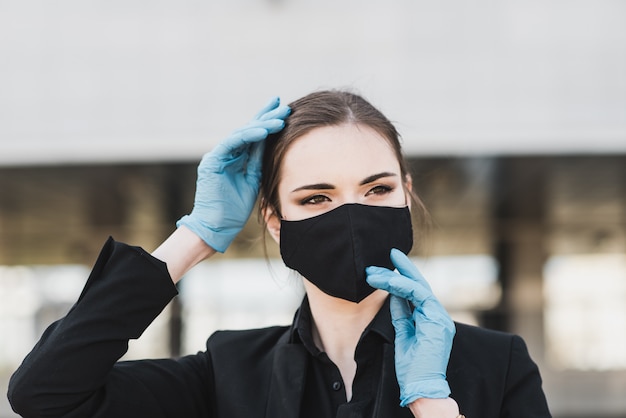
[335, 193]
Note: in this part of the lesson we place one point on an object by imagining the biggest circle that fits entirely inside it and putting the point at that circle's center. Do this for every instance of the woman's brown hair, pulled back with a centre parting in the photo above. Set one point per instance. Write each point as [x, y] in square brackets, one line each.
[323, 108]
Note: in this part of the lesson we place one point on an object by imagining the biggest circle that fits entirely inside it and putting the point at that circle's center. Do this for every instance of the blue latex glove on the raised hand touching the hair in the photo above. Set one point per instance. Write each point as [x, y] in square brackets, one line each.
[228, 179]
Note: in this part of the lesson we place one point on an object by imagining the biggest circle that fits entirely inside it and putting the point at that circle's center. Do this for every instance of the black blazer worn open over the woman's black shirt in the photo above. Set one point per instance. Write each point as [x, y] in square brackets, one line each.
[73, 370]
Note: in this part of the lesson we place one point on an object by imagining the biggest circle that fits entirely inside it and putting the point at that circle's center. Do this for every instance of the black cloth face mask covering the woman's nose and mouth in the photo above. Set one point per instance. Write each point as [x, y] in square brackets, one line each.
[332, 249]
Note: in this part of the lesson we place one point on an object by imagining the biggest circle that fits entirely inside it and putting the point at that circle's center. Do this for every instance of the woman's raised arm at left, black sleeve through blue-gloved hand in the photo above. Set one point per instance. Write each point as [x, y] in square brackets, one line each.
[73, 369]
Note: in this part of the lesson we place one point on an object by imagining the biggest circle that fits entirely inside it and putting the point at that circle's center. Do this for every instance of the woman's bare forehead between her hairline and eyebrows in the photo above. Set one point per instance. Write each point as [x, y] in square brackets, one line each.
[345, 150]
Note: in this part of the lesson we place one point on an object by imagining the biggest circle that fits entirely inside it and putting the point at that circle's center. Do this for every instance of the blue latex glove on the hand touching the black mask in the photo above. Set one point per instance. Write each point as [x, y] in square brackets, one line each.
[424, 331]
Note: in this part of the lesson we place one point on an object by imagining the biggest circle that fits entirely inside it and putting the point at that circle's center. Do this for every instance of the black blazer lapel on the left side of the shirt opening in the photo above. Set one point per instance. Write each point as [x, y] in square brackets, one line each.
[287, 381]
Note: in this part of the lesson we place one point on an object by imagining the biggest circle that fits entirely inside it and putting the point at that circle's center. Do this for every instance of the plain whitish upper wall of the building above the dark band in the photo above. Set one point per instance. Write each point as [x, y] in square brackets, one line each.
[165, 80]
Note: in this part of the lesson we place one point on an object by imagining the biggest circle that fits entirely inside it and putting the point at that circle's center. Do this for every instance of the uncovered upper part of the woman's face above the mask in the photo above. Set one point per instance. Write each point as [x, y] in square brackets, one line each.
[334, 165]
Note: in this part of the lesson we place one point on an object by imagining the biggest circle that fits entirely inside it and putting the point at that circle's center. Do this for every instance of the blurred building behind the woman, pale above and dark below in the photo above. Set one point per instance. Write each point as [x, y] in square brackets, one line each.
[513, 115]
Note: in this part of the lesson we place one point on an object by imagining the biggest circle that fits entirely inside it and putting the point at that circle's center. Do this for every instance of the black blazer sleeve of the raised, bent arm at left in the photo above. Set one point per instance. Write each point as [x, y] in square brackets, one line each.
[73, 371]
